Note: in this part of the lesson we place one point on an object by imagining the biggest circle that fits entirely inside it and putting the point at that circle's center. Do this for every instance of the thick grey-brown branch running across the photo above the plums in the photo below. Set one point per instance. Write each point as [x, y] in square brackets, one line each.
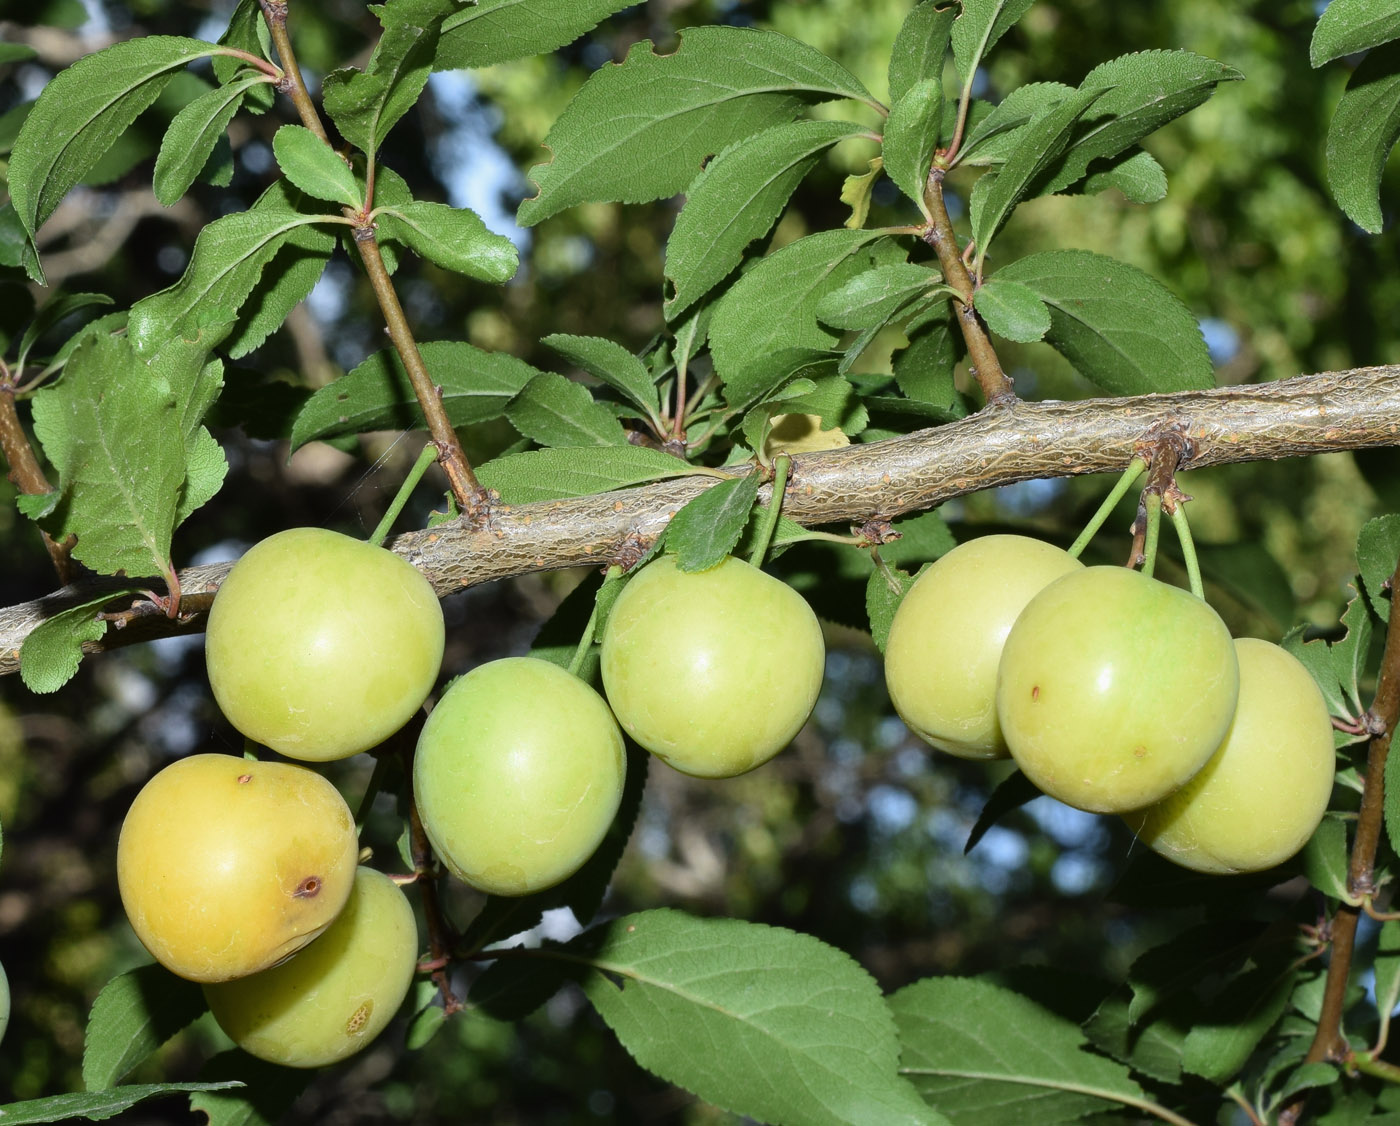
[1021, 442]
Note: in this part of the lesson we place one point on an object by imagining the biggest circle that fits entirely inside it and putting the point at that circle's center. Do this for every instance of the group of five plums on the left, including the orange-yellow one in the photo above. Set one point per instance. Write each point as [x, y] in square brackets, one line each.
[243, 875]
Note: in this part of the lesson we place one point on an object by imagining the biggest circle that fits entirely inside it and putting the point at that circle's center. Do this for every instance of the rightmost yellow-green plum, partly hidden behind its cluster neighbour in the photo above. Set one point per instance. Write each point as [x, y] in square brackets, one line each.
[1261, 798]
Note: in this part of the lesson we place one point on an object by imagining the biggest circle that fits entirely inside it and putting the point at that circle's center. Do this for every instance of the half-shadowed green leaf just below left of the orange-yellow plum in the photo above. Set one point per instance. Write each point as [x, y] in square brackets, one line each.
[134, 1016]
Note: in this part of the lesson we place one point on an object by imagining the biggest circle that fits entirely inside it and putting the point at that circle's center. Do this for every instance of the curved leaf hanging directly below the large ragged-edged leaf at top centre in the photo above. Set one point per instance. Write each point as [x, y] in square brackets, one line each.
[737, 200]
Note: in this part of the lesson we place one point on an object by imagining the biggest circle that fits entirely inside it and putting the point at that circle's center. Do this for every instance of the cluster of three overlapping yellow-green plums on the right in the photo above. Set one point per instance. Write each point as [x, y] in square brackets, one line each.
[1116, 694]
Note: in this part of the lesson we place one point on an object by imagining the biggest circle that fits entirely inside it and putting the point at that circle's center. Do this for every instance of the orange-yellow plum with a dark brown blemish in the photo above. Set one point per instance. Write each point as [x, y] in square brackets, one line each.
[227, 866]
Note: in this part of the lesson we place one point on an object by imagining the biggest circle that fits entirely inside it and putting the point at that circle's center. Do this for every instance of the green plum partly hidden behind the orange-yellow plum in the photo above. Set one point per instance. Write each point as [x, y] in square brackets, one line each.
[334, 998]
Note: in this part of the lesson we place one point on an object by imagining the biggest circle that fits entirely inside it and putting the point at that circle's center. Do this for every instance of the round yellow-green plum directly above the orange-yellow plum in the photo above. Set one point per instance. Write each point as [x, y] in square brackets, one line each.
[321, 646]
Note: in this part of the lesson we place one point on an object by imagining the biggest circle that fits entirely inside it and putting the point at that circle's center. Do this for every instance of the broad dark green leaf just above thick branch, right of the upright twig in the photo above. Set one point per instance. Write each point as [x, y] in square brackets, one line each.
[1119, 327]
